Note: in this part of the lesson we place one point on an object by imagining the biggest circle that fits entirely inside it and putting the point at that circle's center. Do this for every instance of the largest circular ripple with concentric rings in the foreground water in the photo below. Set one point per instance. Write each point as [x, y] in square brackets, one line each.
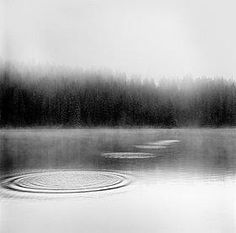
[65, 182]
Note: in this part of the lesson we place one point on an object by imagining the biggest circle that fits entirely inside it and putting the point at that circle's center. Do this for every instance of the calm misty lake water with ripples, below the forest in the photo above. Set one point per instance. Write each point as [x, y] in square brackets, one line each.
[118, 180]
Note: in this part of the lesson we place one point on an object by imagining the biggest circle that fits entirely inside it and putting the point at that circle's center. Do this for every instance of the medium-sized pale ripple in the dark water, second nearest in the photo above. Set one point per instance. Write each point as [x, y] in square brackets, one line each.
[128, 155]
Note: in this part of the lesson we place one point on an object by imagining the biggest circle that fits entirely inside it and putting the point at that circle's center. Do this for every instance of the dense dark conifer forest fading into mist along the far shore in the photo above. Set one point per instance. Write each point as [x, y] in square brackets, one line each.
[82, 98]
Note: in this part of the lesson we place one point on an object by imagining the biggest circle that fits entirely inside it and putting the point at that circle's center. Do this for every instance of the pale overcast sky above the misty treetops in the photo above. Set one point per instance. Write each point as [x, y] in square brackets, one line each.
[147, 37]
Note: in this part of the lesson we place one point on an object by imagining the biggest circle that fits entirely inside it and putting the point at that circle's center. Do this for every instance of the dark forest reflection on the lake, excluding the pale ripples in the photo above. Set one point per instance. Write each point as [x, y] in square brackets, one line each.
[202, 151]
